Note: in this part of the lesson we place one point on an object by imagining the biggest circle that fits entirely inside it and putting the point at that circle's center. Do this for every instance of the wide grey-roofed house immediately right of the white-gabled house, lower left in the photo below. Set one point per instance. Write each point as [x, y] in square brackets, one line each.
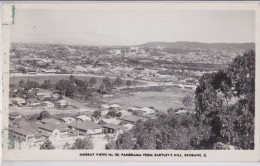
[86, 127]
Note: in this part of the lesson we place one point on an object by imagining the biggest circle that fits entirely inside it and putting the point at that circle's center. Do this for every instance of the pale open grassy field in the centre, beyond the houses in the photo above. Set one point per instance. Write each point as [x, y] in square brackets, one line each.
[161, 98]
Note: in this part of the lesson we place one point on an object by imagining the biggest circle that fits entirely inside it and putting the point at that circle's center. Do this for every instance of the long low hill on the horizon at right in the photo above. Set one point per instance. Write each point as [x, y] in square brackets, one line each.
[198, 45]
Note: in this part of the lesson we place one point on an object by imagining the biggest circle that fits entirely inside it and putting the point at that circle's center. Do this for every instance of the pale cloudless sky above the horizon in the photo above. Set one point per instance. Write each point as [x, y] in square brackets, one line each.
[131, 27]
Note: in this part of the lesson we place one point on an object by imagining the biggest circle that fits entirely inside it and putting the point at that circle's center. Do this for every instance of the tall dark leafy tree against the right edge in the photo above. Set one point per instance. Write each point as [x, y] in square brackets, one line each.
[225, 101]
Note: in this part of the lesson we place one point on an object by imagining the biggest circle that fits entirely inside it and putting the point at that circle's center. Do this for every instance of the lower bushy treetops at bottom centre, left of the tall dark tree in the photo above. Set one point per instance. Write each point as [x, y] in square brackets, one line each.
[168, 131]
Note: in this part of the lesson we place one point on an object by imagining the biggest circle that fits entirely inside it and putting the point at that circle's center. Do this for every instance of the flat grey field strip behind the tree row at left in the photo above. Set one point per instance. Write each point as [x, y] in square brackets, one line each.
[56, 78]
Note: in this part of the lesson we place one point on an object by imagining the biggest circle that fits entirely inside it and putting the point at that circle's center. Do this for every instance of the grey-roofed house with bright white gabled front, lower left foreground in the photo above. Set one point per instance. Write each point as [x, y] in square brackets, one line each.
[56, 130]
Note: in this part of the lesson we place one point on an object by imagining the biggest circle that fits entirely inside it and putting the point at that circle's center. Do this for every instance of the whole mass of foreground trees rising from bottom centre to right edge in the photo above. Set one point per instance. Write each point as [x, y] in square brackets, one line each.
[225, 113]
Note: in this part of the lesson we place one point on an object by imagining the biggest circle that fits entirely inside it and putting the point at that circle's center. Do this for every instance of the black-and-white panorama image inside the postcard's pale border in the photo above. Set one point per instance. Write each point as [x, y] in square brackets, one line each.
[134, 78]
